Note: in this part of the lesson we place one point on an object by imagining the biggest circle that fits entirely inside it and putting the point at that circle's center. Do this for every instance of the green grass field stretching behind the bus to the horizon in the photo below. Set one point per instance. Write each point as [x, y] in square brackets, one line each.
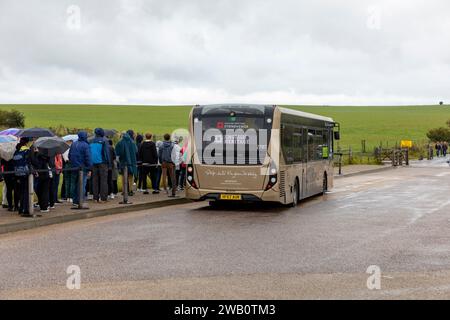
[373, 124]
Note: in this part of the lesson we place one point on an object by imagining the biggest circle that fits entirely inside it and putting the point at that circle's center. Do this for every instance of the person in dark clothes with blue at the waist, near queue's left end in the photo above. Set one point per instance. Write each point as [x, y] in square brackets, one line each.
[22, 168]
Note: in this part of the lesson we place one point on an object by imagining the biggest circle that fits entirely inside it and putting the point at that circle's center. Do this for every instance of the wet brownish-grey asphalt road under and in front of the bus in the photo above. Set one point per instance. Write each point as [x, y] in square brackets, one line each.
[397, 219]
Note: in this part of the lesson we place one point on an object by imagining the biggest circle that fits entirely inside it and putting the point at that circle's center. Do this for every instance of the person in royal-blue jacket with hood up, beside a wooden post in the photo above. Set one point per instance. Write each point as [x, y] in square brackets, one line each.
[80, 158]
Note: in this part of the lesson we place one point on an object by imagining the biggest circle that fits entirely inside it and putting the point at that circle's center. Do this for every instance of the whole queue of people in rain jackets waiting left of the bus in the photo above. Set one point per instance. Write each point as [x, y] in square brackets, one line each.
[100, 163]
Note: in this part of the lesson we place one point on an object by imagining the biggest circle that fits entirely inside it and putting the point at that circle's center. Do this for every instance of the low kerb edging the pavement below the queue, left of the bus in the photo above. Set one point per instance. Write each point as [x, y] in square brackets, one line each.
[42, 222]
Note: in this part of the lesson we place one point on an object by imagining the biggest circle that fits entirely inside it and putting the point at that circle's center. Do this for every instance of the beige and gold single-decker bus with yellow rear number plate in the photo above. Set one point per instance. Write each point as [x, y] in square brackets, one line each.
[258, 153]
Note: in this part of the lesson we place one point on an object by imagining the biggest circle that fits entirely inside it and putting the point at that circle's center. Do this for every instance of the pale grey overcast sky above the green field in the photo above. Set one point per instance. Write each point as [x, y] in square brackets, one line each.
[211, 51]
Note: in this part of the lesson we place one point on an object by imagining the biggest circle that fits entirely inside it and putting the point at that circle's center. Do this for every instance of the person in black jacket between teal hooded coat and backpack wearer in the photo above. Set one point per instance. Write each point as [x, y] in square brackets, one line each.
[149, 157]
